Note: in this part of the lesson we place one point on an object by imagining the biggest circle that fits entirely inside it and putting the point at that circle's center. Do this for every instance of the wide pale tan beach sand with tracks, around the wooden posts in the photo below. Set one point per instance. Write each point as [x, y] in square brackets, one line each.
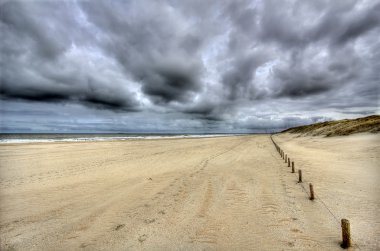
[226, 193]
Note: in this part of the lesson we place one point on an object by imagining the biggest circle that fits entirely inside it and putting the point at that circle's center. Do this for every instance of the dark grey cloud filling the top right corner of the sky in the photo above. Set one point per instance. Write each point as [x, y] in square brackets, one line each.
[307, 23]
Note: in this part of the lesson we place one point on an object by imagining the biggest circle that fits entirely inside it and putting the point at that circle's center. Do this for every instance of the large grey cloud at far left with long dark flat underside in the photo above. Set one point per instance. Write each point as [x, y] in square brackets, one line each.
[36, 37]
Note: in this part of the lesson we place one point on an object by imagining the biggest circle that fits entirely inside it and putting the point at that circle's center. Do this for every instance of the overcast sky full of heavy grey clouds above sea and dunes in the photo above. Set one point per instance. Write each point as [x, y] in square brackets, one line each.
[199, 66]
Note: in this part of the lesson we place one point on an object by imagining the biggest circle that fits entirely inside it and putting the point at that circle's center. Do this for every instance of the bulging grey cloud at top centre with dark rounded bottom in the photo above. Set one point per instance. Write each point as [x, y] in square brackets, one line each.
[151, 48]
